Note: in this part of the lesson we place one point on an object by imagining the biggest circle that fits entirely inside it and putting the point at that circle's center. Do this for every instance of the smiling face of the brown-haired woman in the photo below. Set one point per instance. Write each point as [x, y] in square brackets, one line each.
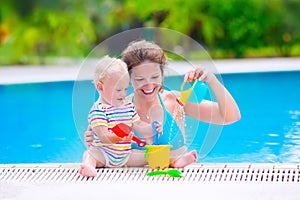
[146, 80]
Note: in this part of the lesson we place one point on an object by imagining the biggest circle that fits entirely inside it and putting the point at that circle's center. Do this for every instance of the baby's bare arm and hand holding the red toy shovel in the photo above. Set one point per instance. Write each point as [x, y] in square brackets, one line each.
[108, 137]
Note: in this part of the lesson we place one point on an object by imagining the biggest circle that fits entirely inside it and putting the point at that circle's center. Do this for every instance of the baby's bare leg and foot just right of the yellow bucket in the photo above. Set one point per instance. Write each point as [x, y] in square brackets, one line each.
[180, 158]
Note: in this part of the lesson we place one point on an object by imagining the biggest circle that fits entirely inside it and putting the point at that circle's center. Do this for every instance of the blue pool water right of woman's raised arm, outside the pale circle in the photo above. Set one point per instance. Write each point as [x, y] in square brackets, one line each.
[269, 130]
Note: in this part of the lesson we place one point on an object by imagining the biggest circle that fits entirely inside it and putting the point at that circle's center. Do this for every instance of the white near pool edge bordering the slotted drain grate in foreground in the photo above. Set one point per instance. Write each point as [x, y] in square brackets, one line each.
[155, 188]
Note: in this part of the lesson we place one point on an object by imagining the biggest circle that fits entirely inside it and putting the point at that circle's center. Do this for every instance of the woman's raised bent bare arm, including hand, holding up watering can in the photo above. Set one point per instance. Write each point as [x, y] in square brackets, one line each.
[224, 111]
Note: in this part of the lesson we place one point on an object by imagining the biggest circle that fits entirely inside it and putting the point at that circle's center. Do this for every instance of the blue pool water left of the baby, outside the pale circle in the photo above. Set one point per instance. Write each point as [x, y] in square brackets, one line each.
[37, 124]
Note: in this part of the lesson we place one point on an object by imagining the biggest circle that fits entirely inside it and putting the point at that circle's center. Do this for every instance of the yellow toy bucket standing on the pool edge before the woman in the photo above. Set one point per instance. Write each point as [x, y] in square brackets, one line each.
[158, 156]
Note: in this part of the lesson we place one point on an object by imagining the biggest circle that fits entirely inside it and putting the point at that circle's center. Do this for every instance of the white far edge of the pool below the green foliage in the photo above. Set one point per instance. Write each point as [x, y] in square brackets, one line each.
[29, 74]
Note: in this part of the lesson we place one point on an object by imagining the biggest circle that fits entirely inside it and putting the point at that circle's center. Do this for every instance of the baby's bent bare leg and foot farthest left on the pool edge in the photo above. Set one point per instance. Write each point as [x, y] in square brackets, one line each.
[91, 159]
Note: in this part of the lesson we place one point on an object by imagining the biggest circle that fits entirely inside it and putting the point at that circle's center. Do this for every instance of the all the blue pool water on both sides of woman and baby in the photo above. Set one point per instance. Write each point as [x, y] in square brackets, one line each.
[38, 124]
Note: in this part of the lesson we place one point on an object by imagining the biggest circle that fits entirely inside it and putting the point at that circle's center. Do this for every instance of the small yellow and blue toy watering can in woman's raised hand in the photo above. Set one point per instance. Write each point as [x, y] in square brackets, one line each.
[199, 87]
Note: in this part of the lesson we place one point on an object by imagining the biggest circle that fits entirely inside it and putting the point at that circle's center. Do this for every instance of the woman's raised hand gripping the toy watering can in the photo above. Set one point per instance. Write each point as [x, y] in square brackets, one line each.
[202, 74]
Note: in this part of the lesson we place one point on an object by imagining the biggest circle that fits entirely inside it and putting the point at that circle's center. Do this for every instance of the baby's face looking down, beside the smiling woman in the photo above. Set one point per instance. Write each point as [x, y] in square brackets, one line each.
[115, 89]
